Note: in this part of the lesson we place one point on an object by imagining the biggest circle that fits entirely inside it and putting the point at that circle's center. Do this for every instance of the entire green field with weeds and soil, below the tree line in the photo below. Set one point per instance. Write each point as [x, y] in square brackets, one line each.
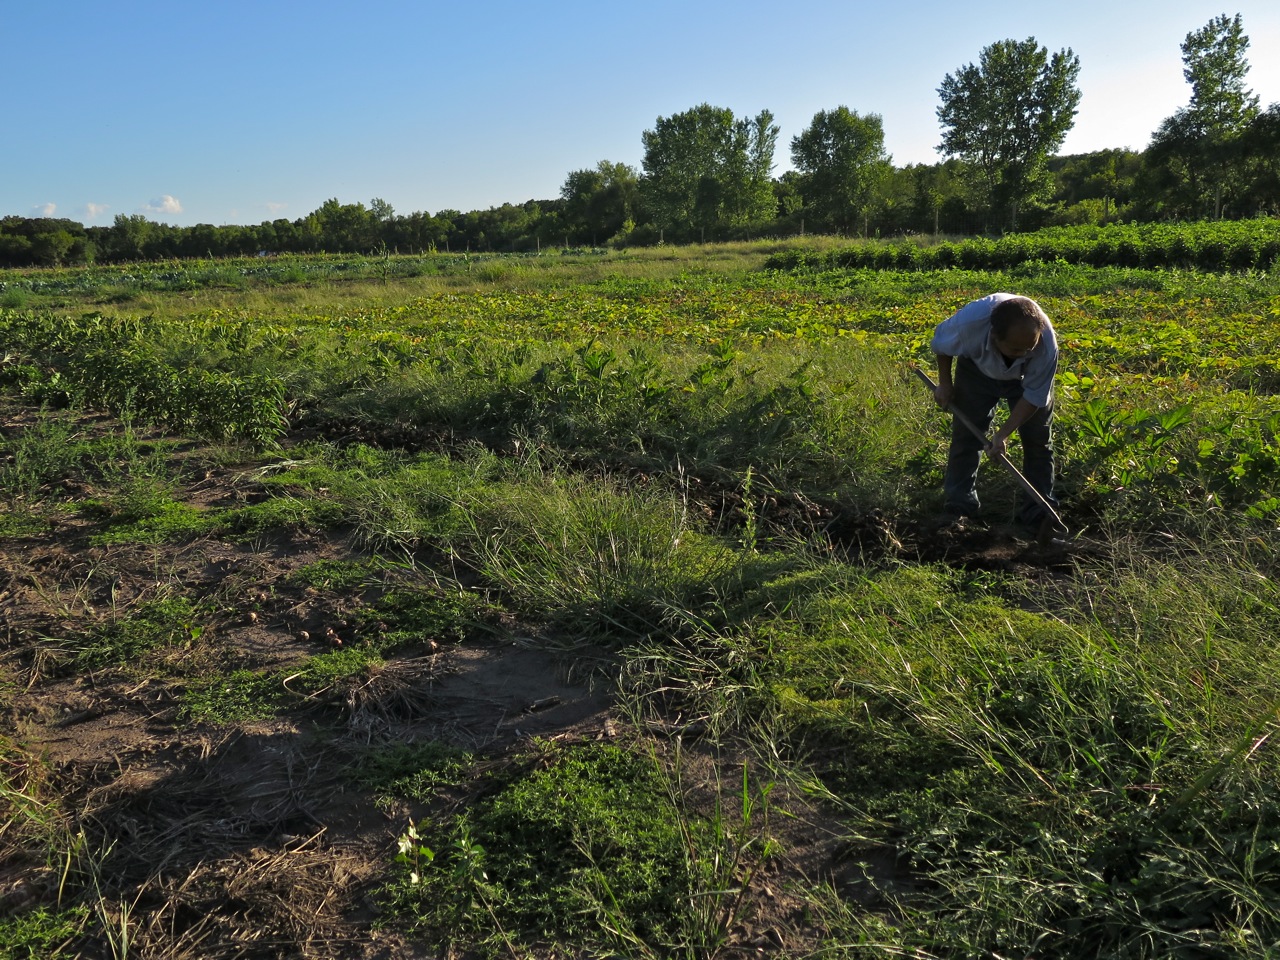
[593, 605]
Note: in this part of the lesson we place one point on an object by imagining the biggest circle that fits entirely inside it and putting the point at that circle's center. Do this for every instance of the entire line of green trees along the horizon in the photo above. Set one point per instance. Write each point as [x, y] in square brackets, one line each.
[708, 176]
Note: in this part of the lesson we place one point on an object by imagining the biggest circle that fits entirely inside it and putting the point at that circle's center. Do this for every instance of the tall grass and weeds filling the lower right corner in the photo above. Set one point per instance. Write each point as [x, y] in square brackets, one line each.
[1098, 783]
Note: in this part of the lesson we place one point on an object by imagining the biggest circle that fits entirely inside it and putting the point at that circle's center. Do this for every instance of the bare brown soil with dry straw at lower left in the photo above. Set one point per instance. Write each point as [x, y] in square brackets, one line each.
[252, 840]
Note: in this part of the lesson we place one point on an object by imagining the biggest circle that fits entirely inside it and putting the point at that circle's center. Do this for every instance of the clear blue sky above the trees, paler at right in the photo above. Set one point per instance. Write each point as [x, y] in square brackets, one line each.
[230, 112]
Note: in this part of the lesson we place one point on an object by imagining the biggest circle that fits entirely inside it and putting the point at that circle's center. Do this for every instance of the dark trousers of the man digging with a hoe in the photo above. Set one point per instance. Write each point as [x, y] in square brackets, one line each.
[977, 397]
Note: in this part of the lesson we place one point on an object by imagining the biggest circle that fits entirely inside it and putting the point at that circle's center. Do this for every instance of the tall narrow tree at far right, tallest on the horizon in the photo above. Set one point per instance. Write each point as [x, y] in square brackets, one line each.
[1200, 152]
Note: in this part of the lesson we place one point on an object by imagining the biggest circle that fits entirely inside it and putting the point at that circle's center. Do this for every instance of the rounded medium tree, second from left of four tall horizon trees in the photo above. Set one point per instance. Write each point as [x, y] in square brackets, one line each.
[843, 159]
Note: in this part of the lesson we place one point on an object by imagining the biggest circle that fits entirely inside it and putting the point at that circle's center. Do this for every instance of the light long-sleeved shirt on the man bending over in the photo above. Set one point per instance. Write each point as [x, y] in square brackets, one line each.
[967, 333]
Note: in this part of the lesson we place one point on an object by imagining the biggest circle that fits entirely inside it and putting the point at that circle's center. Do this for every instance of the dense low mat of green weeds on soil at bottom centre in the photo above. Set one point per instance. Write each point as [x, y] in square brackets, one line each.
[522, 857]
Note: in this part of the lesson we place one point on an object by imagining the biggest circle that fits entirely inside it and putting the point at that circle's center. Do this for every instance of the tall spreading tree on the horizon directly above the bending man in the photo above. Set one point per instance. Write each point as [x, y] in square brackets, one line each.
[1008, 115]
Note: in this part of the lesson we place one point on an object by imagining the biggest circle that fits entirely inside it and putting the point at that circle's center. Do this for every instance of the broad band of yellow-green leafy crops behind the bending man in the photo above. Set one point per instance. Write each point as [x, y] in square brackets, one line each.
[788, 376]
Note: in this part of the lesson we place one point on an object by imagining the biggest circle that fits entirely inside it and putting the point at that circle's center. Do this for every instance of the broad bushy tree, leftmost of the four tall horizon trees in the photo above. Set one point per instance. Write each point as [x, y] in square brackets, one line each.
[707, 173]
